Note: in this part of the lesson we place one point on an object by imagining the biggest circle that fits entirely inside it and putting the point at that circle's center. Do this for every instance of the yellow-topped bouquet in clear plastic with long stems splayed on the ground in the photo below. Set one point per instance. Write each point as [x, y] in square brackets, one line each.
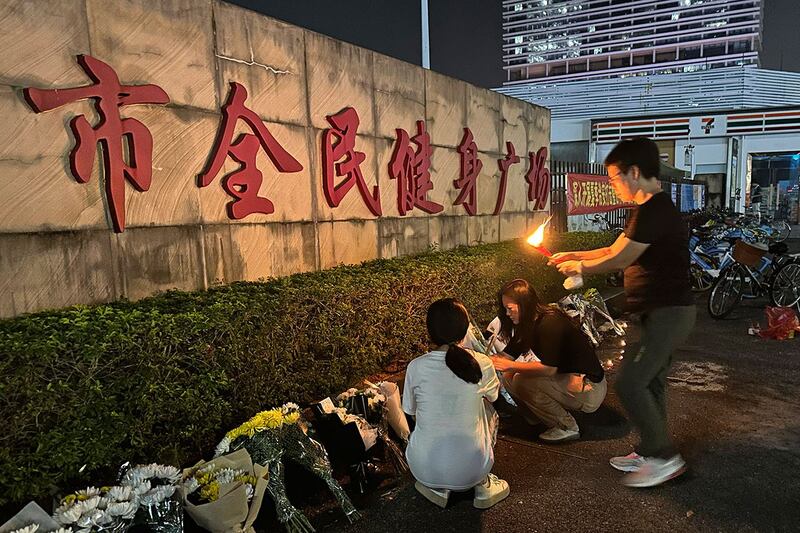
[276, 434]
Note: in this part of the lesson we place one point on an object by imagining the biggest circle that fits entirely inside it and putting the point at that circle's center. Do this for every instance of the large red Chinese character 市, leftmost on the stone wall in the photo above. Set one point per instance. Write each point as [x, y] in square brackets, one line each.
[109, 96]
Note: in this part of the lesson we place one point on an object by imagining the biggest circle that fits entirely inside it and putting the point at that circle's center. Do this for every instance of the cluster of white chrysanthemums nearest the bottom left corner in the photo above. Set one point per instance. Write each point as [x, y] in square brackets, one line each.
[93, 509]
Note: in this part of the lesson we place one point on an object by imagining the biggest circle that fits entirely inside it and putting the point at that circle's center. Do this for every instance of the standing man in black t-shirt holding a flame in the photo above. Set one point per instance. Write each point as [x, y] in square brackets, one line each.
[653, 250]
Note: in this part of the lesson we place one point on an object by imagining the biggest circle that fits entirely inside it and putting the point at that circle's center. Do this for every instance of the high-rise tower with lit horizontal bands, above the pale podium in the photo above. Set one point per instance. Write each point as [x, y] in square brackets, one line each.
[559, 40]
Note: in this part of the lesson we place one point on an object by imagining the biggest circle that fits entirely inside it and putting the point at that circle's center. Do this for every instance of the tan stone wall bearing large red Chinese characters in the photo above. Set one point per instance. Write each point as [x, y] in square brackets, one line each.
[177, 144]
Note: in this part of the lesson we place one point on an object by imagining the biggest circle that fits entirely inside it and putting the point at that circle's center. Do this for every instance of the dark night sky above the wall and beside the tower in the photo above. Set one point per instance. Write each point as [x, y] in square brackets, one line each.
[466, 35]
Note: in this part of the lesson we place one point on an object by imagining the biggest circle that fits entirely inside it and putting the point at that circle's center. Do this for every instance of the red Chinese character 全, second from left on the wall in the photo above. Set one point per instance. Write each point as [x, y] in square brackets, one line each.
[244, 183]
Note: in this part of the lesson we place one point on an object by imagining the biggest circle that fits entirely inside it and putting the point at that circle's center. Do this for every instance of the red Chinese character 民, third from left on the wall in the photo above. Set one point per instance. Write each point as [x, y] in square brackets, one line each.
[338, 143]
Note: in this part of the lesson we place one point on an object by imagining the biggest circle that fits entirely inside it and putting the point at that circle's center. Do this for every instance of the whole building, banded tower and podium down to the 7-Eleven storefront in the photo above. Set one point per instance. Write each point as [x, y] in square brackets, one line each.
[683, 72]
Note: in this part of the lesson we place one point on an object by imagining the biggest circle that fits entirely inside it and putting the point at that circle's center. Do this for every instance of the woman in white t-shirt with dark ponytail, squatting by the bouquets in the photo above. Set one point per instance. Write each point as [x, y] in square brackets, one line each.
[448, 391]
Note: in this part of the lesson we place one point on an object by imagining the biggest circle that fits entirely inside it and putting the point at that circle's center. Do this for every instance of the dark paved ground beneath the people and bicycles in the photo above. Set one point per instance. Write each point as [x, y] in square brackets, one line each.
[734, 411]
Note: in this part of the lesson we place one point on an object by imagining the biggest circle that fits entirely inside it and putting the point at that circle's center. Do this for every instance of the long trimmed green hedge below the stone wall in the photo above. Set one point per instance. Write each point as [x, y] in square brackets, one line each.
[84, 389]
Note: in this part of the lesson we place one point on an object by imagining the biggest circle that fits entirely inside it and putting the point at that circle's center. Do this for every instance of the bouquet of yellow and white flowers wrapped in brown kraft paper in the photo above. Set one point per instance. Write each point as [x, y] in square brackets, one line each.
[225, 494]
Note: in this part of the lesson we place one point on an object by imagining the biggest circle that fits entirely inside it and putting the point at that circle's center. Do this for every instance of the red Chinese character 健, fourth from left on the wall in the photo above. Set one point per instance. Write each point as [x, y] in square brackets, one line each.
[411, 169]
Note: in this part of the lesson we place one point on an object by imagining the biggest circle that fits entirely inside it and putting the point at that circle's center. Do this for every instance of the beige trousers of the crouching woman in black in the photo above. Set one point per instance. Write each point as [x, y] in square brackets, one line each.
[549, 397]
